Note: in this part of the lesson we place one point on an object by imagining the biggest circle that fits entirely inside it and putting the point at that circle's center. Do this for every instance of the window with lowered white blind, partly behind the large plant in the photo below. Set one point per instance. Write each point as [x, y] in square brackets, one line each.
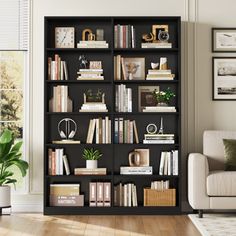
[14, 53]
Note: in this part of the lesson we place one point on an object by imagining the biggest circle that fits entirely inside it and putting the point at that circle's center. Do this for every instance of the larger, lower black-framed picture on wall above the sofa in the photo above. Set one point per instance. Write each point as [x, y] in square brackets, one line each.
[224, 78]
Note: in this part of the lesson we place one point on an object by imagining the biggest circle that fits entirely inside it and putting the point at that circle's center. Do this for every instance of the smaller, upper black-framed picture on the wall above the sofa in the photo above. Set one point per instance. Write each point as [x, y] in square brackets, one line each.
[223, 39]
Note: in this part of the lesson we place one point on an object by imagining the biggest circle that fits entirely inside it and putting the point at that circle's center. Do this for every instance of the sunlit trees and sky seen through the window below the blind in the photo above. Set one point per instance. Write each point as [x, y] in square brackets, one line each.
[11, 96]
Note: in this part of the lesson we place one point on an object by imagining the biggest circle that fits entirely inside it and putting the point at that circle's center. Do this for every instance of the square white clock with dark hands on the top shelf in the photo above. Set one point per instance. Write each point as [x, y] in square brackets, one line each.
[64, 37]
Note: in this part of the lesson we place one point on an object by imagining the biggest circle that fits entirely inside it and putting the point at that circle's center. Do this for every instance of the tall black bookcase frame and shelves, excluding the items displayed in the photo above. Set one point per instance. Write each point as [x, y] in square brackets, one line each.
[114, 155]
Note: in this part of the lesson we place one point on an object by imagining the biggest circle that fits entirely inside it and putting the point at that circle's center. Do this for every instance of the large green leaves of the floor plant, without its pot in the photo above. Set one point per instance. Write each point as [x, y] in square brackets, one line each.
[10, 155]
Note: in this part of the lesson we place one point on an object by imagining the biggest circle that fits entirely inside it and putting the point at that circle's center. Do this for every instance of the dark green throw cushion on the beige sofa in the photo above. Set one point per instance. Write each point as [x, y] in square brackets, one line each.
[230, 154]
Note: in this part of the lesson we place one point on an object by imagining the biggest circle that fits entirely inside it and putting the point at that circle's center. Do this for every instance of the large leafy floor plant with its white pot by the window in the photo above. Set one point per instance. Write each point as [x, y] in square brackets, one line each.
[10, 155]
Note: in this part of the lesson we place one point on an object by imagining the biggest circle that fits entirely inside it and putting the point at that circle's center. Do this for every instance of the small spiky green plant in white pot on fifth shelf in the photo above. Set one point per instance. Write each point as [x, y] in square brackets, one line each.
[91, 156]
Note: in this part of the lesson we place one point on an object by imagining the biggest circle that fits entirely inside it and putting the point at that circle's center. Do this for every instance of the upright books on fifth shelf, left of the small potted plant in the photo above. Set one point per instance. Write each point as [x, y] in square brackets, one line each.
[56, 161]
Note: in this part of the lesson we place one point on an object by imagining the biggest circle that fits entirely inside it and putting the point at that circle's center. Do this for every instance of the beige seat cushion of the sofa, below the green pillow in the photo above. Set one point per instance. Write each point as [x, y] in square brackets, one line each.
[221, 183]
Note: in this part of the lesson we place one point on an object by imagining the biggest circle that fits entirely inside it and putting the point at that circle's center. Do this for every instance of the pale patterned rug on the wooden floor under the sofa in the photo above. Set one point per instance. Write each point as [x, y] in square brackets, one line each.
[215, 224]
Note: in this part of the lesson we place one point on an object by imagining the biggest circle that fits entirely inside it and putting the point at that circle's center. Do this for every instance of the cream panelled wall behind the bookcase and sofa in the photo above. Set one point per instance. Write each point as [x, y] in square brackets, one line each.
[199, 111]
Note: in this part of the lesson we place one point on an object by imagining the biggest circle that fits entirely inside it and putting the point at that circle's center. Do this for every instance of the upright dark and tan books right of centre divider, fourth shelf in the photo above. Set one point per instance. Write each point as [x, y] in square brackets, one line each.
[125, 131]
